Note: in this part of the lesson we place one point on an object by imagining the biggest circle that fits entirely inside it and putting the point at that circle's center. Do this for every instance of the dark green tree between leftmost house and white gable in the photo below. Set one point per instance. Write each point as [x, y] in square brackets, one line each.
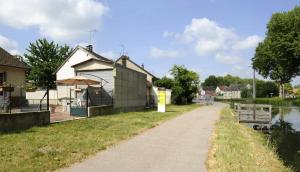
[44, 58]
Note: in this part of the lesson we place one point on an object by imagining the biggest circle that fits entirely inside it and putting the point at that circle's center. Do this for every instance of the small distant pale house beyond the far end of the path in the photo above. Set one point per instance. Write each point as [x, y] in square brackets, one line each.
[228, 92]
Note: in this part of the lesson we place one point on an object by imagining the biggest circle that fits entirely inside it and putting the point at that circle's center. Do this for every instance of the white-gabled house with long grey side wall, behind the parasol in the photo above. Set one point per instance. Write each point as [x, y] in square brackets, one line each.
[121, 86]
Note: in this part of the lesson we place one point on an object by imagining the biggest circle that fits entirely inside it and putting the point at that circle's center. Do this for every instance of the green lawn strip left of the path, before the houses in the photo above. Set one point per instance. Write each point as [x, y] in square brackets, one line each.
[60, 145]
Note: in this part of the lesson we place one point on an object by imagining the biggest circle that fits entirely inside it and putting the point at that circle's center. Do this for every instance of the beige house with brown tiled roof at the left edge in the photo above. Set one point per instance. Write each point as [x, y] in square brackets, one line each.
[12, 73]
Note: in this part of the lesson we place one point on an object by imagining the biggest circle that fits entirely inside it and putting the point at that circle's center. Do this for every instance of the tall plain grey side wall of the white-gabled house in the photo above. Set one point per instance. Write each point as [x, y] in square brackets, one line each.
[130, 90]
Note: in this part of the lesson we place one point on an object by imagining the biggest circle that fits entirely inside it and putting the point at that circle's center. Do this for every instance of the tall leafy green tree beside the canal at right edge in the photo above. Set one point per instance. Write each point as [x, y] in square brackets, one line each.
[278, 56]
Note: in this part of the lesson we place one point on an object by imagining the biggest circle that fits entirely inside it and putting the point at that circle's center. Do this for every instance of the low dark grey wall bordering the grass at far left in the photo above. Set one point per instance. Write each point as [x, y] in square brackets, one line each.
[23, 120]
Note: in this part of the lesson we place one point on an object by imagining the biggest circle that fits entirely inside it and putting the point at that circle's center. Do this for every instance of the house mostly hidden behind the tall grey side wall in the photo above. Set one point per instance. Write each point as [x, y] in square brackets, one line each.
[151, 91]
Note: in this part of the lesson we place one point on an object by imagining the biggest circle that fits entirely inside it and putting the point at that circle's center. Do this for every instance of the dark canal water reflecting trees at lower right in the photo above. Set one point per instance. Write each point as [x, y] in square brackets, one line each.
[285, 135]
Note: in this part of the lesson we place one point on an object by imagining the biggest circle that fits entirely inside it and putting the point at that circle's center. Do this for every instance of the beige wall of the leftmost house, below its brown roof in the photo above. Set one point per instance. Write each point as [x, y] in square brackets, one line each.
[15, 77]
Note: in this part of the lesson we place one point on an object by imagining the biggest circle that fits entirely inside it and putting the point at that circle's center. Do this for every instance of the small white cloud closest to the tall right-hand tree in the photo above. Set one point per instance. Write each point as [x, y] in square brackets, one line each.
[248, 43]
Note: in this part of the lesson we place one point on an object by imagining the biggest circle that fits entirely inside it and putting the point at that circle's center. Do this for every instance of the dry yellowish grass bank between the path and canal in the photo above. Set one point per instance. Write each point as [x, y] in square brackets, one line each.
[239, 148]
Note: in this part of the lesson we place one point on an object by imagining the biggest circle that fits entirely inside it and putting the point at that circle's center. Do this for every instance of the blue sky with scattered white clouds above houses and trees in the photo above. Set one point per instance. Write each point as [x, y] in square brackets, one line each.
[211, 37]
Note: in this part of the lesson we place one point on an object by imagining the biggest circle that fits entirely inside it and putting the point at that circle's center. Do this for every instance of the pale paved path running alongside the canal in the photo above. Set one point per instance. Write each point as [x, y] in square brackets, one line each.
[180, 144]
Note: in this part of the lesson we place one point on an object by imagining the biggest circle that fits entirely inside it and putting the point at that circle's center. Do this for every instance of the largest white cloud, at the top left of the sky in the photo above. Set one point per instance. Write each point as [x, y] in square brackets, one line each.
[61, 20]
